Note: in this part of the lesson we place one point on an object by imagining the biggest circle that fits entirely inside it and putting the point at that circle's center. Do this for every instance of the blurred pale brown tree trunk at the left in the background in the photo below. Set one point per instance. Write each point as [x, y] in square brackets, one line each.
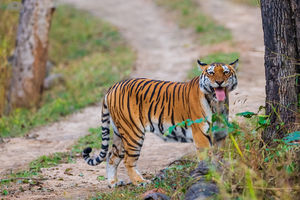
[30, 56]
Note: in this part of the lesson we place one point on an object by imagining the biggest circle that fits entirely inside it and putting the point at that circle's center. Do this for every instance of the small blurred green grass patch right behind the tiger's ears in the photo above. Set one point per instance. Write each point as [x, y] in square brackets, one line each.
[215, 57]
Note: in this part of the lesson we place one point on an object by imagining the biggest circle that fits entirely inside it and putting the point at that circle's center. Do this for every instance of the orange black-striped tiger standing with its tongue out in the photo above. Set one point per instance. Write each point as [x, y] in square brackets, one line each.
[138, 105]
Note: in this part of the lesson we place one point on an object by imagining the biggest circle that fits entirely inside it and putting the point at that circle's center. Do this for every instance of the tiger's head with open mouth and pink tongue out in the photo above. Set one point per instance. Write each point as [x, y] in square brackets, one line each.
[218, 79]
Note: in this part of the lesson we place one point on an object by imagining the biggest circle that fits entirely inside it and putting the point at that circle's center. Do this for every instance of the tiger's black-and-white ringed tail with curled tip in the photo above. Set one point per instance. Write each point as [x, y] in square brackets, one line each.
[105, 119]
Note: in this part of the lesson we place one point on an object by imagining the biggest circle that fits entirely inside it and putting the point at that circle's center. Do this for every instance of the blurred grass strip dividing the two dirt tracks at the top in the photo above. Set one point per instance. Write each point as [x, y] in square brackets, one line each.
[189, 15]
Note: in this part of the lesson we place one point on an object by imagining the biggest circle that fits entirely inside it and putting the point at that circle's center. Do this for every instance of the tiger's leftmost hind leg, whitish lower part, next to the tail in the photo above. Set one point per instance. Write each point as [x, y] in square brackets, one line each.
[115, 156]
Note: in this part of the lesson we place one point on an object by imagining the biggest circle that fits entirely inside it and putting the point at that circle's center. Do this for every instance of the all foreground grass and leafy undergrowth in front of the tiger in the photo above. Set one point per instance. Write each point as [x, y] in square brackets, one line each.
[249, 168]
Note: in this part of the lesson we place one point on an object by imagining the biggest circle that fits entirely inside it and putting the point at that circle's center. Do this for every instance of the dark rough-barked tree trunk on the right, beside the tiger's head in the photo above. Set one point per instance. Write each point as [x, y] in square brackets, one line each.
[282, 44]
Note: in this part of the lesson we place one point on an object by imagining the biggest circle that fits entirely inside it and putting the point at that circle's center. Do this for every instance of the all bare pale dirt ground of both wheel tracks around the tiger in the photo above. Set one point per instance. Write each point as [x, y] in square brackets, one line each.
[164, 51]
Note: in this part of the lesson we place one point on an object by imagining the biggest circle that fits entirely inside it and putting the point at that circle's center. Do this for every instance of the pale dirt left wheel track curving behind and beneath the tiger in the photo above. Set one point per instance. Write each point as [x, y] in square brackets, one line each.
[162, 54]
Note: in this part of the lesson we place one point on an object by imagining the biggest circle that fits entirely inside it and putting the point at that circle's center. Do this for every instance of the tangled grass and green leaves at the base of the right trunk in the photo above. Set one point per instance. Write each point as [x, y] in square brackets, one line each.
[255, 171]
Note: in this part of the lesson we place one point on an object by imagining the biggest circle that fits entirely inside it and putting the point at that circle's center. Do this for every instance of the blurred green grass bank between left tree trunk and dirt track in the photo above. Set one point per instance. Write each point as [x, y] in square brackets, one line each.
[91, 56]
